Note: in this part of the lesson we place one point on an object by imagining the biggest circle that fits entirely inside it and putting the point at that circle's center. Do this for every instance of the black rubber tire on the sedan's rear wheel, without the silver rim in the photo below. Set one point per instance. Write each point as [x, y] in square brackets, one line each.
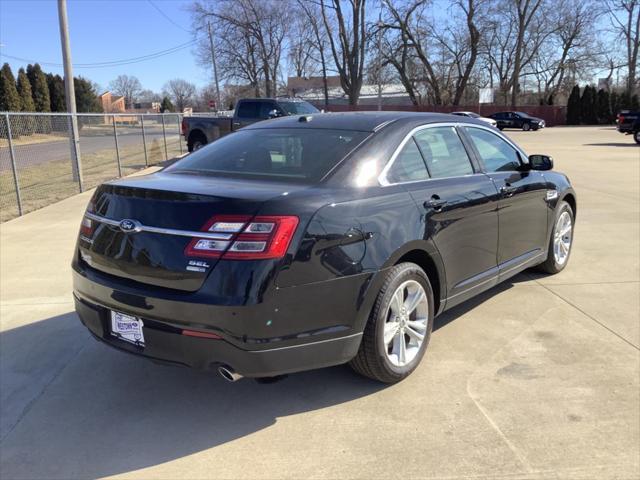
[372, 360]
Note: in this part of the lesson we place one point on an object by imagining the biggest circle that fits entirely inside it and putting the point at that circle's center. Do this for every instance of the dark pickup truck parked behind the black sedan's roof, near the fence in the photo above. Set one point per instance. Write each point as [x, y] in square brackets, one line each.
[200, 130]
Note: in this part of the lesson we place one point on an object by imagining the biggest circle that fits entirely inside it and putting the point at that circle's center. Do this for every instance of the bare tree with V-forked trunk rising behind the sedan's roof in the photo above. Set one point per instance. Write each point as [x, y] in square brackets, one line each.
[348, 41]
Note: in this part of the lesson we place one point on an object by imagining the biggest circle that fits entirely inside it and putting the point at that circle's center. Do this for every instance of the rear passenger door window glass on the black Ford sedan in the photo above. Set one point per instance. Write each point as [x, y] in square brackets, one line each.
[444, 152]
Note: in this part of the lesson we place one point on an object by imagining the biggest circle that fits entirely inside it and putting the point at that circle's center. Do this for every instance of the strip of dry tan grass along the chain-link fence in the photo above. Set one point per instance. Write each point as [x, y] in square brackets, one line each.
[49, 182]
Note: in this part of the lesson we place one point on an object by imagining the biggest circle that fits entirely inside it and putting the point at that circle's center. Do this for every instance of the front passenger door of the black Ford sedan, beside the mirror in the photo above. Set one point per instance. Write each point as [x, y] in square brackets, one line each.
[522, 208]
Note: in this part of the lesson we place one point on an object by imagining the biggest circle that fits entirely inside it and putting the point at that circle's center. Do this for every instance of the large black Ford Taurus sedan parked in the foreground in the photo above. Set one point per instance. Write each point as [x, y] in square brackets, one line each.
[311, 241]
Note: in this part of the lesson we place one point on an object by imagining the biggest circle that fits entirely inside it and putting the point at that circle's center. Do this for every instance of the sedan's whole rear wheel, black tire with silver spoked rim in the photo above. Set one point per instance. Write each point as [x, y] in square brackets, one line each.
[399, 327]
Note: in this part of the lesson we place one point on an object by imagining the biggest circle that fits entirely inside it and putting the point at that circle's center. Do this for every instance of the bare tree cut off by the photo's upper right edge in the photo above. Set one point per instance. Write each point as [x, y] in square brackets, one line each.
[625, 19]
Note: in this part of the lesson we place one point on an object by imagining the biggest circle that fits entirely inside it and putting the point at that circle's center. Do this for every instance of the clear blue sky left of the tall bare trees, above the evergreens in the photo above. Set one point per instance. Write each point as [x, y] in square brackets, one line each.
[102, 31]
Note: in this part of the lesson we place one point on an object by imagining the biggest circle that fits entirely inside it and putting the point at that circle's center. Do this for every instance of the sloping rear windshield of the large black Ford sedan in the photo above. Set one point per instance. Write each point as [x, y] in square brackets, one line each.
[297, 154]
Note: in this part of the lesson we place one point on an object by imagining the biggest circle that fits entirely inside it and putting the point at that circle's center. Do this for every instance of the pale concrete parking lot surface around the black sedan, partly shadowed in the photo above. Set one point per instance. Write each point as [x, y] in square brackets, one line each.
[536, 378]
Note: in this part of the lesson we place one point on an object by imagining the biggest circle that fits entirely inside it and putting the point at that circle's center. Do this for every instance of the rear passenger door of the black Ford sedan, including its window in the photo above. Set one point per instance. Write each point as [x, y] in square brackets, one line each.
[459, 205]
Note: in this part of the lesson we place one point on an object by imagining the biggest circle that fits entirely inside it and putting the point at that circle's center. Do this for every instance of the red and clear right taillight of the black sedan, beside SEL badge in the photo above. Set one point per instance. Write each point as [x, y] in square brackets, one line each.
[250, 238]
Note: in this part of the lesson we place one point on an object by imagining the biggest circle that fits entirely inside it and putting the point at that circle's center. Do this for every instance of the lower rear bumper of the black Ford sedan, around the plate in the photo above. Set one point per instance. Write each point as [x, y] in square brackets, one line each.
[166, 344]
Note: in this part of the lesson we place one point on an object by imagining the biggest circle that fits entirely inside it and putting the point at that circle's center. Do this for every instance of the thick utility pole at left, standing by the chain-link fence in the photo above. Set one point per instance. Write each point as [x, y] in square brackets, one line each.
[69, 91]
